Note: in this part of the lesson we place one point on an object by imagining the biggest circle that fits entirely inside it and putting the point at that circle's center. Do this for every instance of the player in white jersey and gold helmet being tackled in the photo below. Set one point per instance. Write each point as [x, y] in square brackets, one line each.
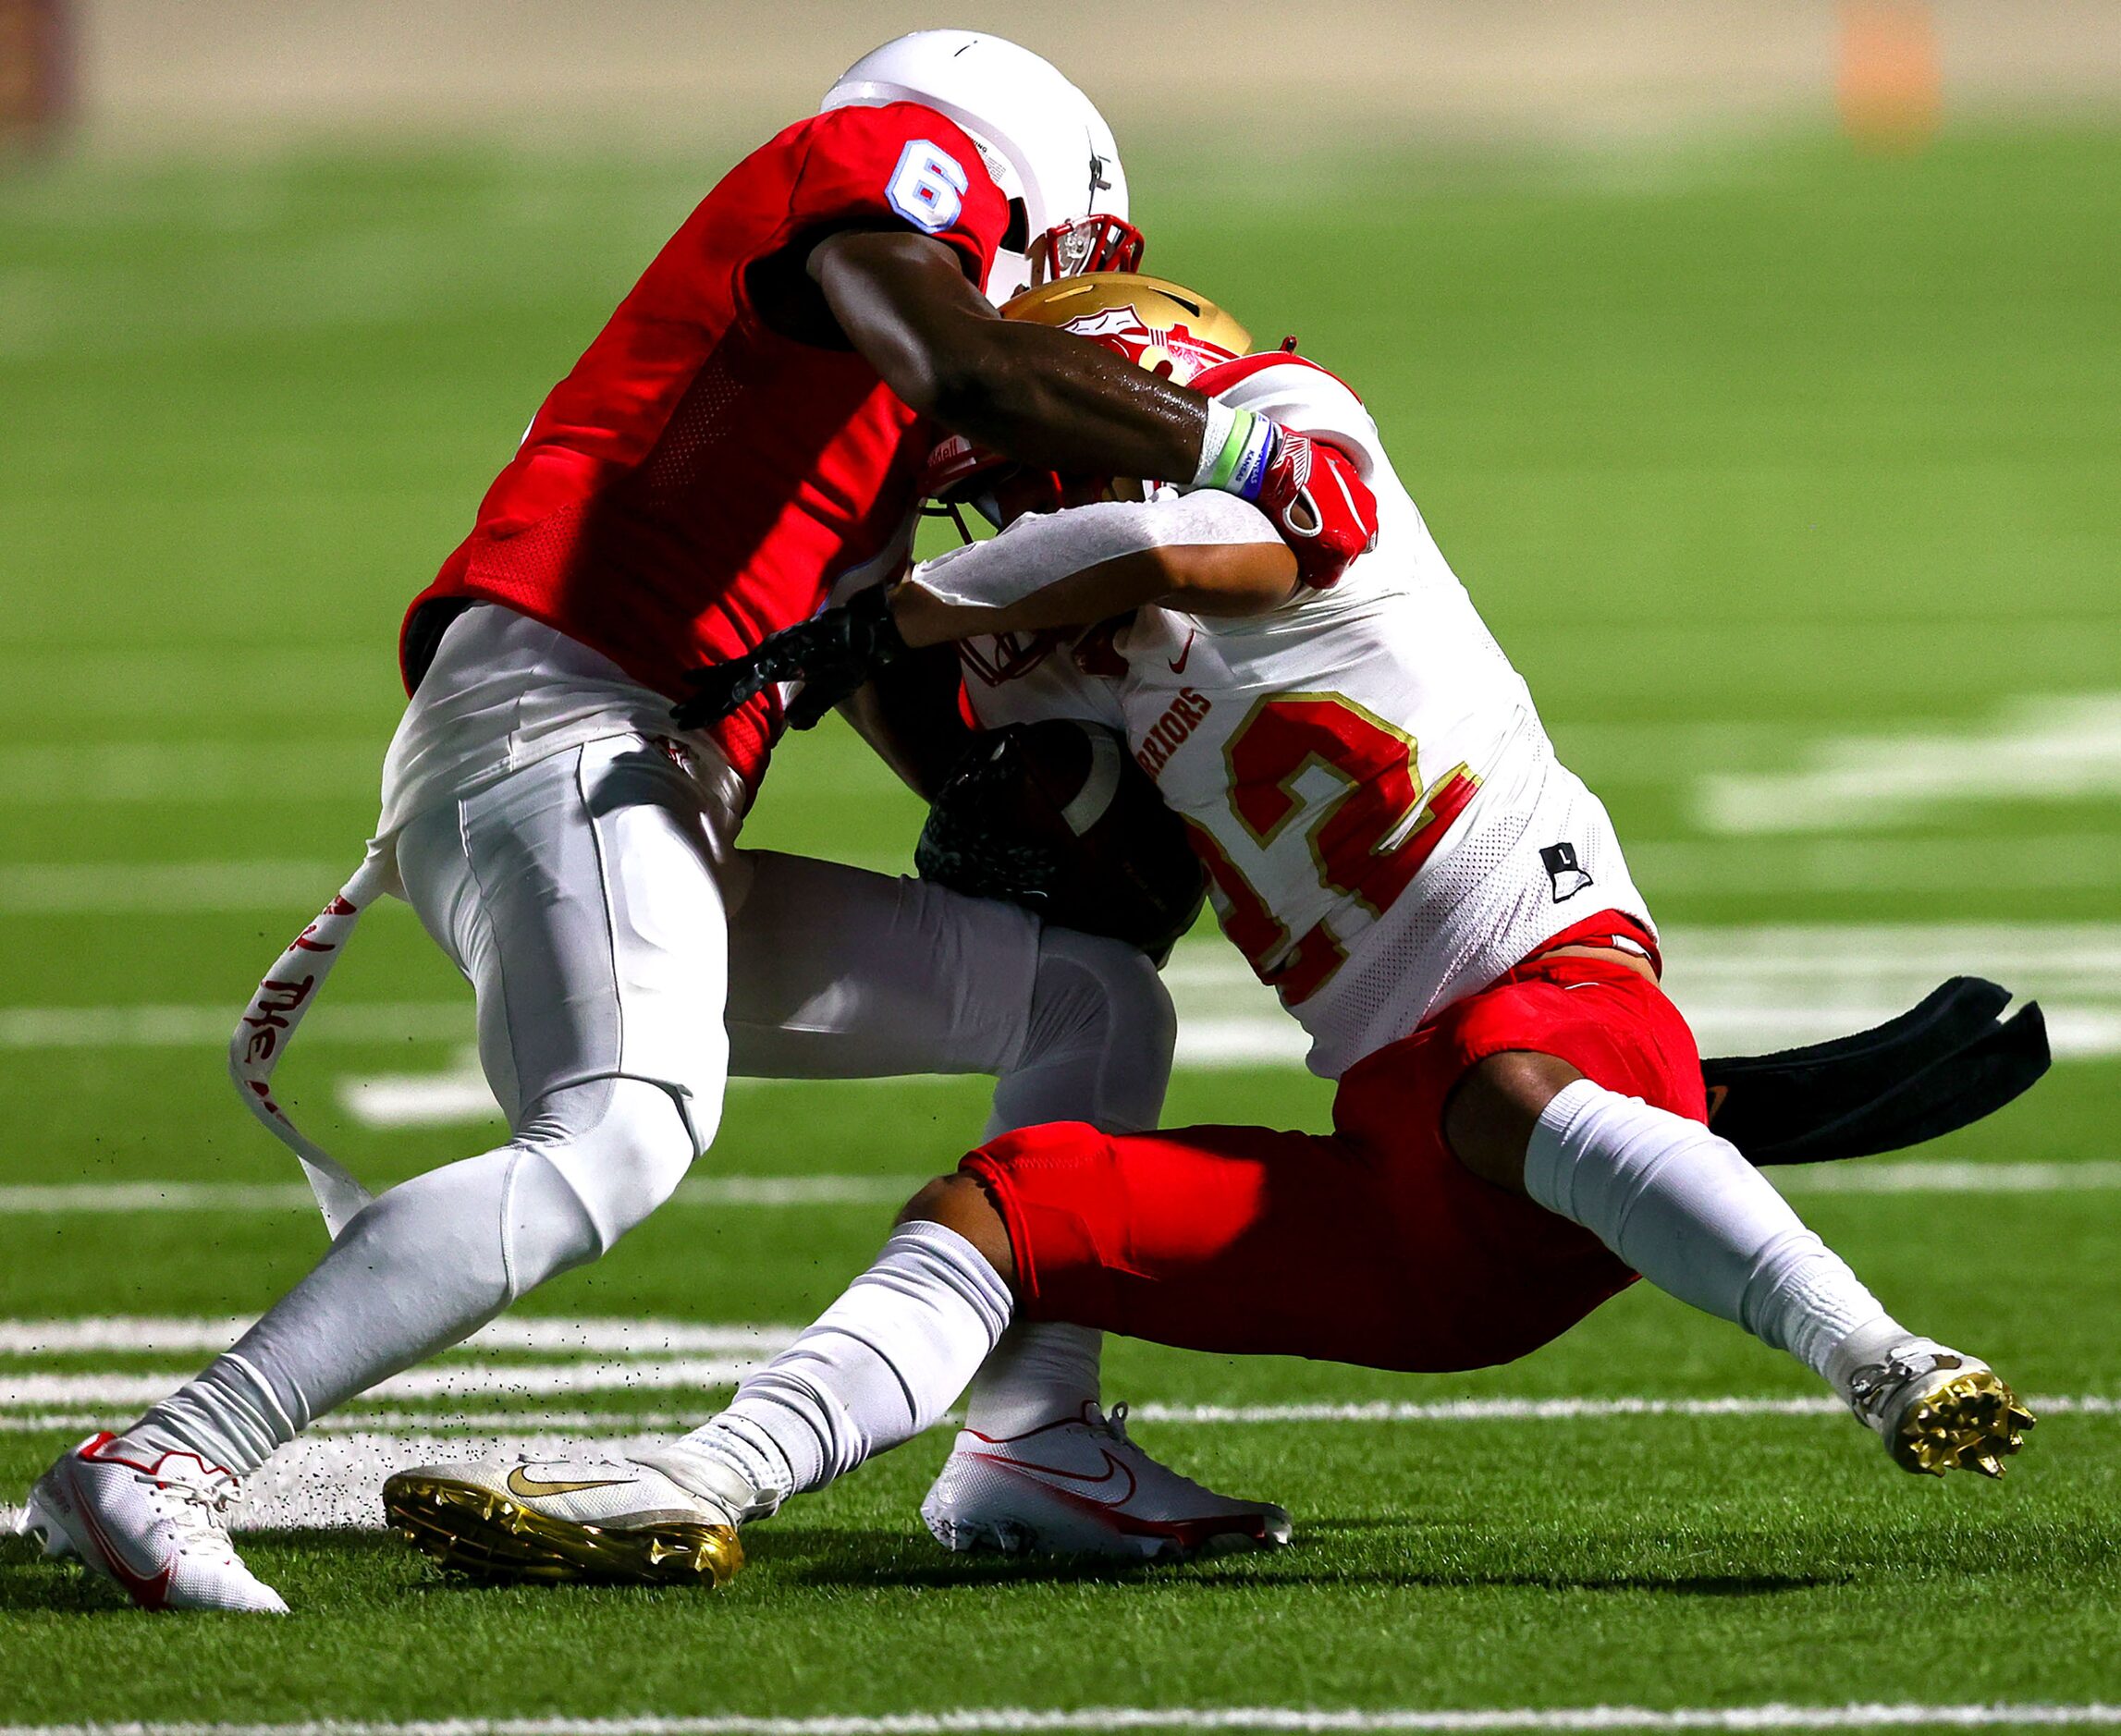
[1520, 1127]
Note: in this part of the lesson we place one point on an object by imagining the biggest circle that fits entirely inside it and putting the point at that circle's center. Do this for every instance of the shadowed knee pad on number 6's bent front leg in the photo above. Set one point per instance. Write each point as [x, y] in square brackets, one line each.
[1100, 1010]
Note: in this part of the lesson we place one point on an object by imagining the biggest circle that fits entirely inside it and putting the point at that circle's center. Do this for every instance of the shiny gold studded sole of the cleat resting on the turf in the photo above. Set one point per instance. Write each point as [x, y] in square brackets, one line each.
[485, 1536]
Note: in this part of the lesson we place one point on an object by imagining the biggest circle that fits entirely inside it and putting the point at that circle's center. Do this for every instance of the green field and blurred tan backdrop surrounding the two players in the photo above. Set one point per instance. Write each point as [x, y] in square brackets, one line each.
[1759, 368]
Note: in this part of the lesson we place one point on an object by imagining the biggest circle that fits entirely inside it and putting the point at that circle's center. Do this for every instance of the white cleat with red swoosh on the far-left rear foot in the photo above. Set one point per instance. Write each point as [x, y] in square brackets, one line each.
[156, 1527]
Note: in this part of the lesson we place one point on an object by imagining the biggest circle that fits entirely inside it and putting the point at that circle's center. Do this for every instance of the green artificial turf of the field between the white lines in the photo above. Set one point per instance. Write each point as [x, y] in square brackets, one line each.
[1740, 450]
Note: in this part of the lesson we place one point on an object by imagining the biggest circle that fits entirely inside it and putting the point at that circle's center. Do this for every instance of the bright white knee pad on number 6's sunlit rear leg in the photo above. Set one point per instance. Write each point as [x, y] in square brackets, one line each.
[593, 1163]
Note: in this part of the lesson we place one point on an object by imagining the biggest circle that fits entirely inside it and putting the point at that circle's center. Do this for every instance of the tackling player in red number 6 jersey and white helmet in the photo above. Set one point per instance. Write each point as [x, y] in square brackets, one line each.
[741, 440]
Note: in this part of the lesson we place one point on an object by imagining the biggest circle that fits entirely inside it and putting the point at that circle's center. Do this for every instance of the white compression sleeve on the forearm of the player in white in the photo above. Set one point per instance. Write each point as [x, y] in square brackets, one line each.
[1047, 548]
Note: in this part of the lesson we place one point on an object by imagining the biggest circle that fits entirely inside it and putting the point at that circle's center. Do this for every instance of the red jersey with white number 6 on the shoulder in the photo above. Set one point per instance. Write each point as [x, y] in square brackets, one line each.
[701, 478]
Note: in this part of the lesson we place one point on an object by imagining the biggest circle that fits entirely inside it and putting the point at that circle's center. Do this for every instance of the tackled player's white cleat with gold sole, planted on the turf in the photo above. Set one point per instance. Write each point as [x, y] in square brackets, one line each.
[578, 1519]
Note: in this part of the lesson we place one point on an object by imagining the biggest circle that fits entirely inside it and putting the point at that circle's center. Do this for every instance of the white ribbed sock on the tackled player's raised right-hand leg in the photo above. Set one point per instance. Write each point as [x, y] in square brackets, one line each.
[1691, 1216]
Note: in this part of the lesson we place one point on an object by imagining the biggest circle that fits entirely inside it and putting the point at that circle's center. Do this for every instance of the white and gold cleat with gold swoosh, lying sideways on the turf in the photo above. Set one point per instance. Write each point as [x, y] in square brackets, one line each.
[474, 1523]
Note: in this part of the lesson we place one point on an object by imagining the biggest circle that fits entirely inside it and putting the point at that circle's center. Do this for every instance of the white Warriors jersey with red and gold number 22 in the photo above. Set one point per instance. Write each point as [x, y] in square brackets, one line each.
[1365, 775]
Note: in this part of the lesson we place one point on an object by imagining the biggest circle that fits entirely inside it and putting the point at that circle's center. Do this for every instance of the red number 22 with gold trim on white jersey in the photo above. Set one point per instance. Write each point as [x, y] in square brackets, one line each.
[1367, 843]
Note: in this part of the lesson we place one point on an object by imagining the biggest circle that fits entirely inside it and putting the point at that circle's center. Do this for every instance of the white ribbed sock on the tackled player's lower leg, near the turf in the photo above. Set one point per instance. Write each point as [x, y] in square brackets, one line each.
[877, 1368]
